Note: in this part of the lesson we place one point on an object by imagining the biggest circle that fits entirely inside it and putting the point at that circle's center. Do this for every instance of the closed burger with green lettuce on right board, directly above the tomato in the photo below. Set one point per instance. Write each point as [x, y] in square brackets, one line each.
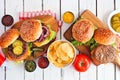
[82, 35]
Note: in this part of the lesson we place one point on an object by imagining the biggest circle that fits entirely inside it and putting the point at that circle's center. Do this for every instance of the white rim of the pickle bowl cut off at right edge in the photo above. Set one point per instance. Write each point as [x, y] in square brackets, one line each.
[109, 21]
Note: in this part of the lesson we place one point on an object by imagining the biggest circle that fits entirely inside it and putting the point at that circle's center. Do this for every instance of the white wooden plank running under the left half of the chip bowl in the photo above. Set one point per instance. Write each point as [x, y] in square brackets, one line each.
[52, 73]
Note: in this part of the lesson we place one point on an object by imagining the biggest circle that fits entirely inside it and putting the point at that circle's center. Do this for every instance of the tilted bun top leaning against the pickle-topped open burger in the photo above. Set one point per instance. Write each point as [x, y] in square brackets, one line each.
[8, 37]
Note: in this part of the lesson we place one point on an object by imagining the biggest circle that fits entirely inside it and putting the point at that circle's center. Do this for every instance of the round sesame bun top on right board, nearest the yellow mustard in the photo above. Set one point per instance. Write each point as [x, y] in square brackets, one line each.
[83, 30]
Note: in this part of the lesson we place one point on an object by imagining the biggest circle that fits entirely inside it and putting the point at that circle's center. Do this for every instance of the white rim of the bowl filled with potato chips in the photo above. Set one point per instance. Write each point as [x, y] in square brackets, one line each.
[73, 49]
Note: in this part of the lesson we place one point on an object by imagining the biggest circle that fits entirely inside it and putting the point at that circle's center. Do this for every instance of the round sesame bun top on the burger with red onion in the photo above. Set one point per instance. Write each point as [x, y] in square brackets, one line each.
[30, 30]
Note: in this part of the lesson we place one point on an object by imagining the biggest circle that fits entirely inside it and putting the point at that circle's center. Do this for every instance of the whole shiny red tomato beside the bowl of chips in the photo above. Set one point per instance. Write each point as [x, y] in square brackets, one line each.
[81, 63]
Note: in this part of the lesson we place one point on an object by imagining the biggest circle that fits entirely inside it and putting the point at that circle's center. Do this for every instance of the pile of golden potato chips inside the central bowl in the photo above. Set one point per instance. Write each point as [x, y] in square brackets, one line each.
[61, 53]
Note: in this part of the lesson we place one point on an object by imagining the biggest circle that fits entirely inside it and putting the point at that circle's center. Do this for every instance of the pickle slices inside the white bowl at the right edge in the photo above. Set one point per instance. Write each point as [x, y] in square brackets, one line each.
[115, 22]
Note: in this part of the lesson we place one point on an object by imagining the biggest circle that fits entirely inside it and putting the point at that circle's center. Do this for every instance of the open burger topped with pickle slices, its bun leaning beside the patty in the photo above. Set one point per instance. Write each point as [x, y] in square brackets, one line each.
[13, 47]
